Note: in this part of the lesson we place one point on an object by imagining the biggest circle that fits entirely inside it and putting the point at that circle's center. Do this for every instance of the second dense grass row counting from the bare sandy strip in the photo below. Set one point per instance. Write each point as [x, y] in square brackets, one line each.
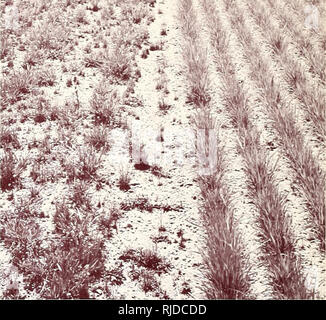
[274, 225]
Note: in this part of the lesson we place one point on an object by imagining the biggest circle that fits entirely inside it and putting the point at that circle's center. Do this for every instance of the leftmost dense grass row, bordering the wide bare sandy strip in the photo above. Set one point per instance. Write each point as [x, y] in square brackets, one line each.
[224, 260]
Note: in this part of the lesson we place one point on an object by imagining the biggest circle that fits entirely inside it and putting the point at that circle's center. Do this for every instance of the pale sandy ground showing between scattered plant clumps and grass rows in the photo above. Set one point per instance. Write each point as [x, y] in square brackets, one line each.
[172, 227]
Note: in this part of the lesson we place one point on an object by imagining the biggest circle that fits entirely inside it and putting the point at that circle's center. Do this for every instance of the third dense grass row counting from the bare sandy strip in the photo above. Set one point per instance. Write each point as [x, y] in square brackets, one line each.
[309, 177]
